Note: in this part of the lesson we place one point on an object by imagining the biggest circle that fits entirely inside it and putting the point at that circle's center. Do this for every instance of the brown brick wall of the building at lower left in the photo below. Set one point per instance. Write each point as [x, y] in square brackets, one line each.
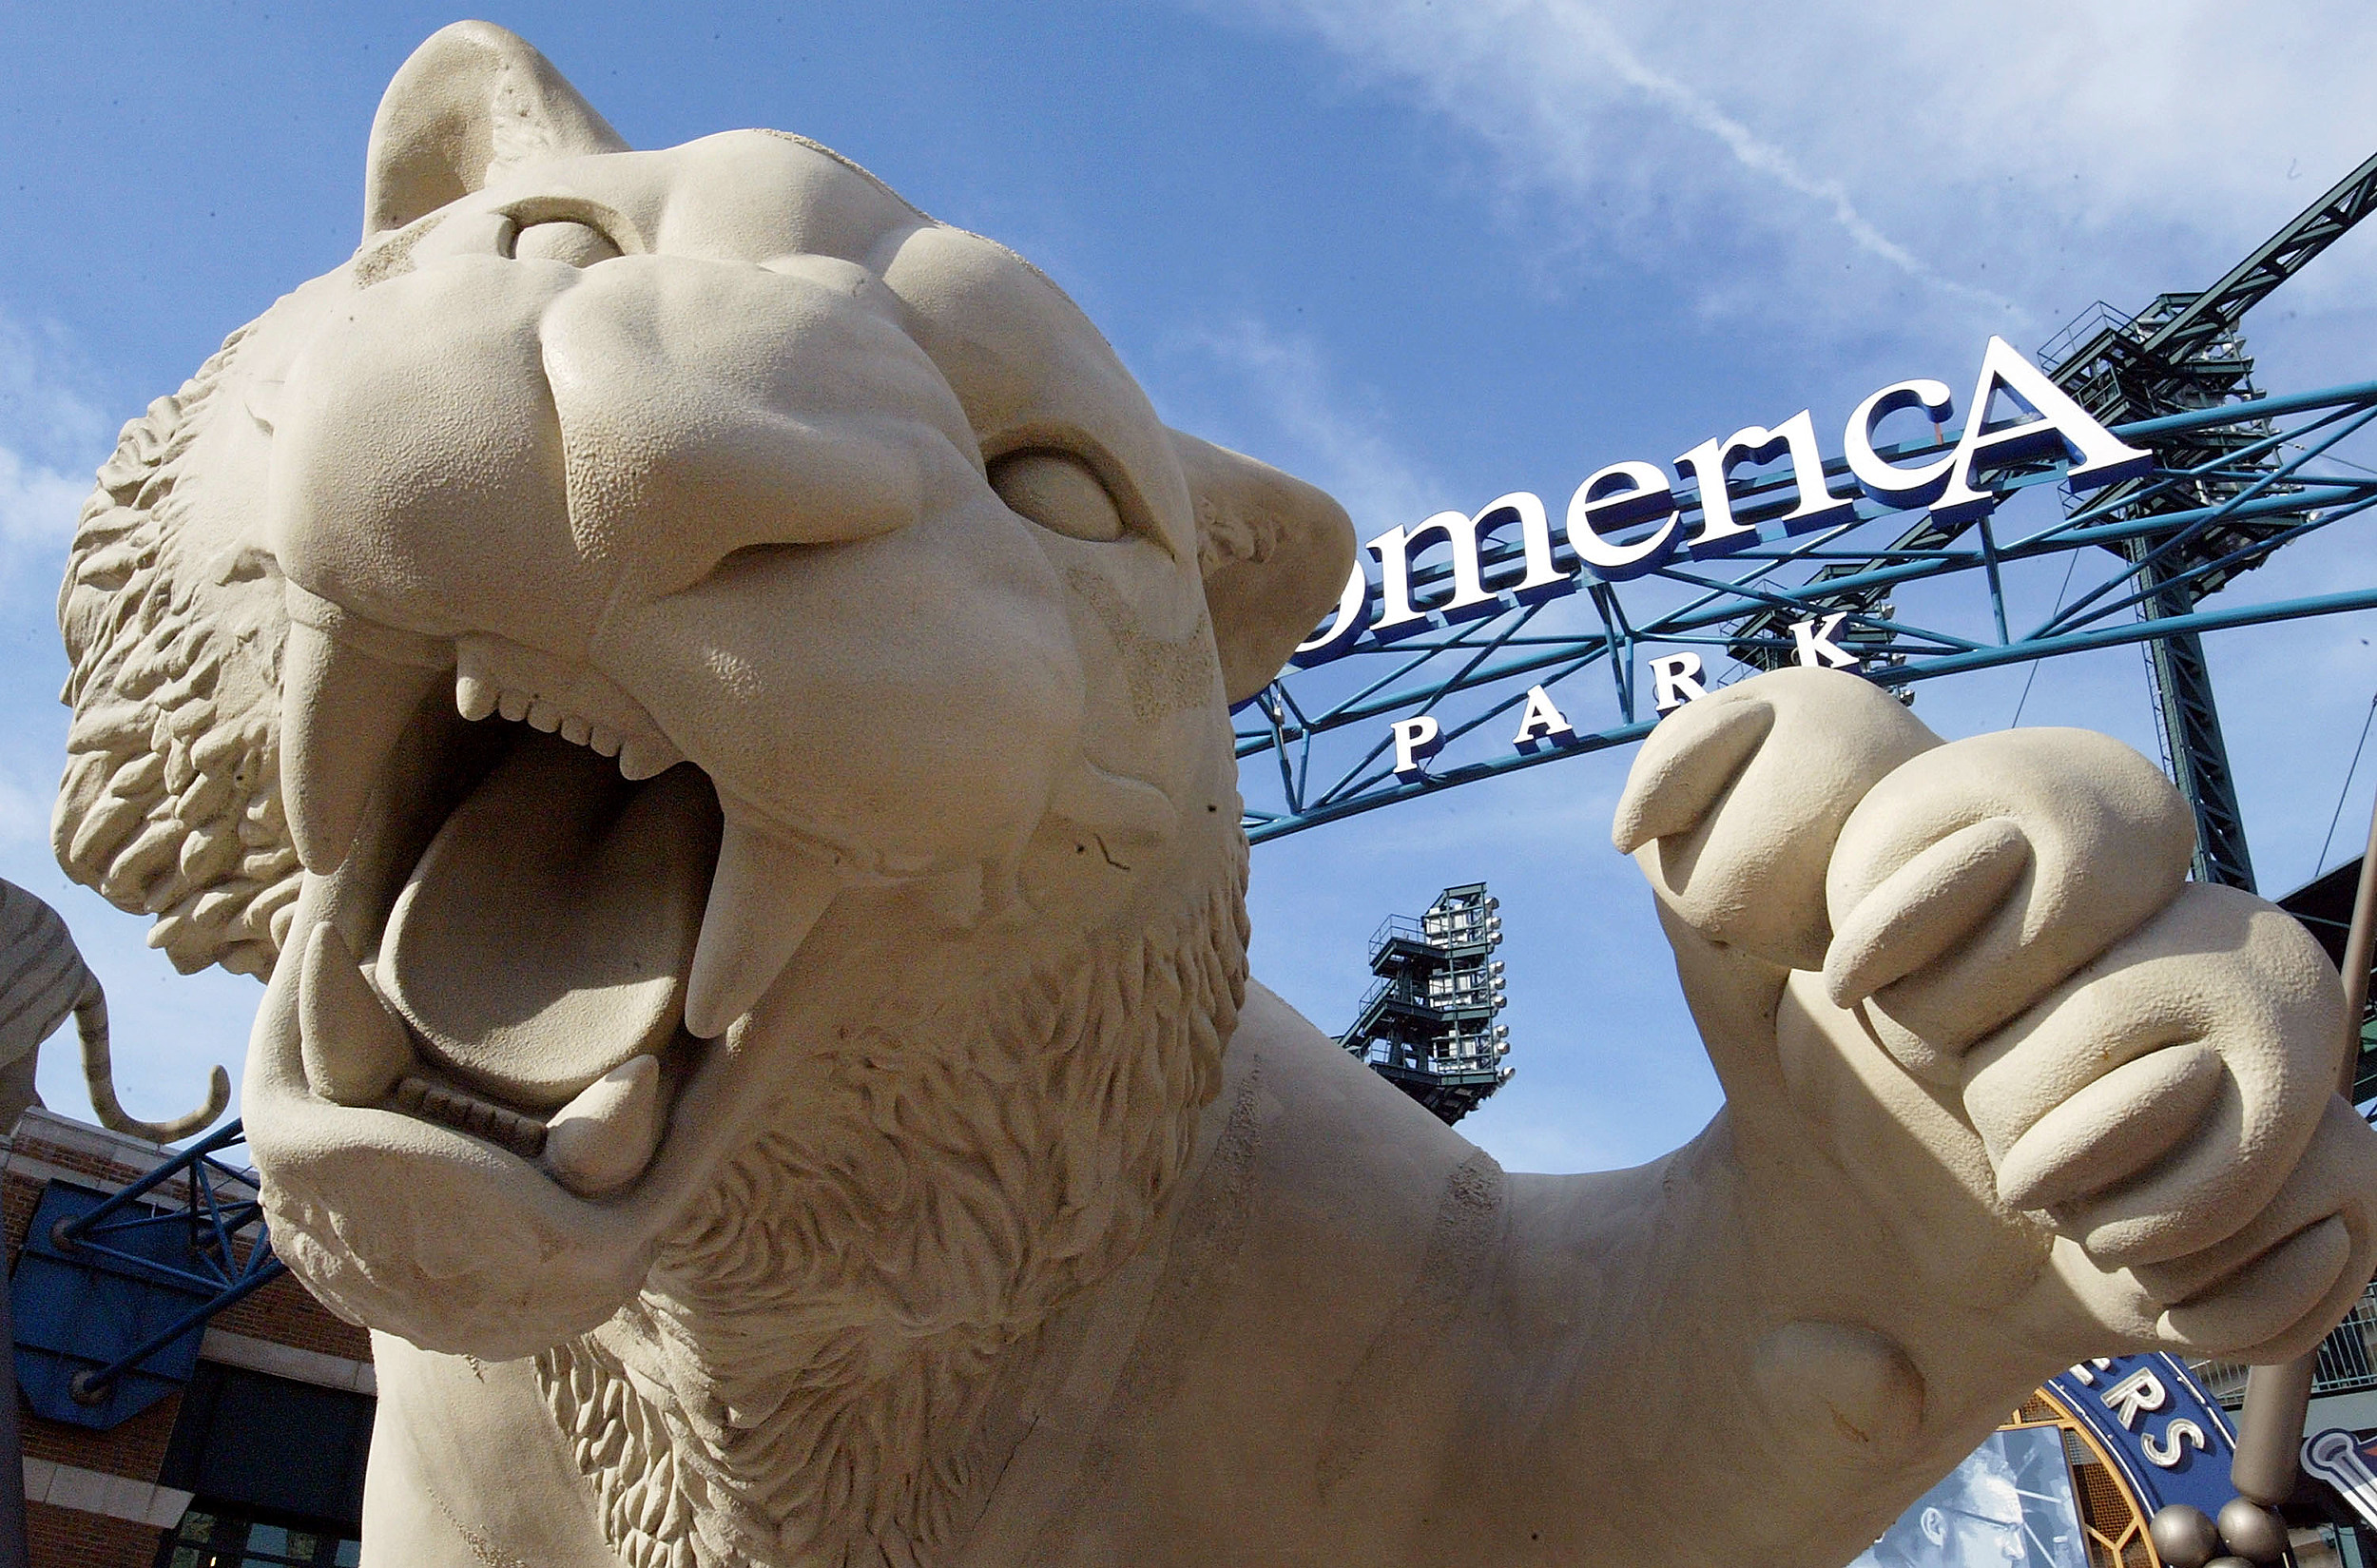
[94, 1500]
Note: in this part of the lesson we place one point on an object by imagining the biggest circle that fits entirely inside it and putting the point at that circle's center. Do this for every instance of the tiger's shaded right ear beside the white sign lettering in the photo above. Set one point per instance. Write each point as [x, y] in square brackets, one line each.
[1275, 555]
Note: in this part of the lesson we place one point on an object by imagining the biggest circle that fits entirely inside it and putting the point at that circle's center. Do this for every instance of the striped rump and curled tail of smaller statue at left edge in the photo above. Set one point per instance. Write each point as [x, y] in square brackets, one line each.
[42, 982]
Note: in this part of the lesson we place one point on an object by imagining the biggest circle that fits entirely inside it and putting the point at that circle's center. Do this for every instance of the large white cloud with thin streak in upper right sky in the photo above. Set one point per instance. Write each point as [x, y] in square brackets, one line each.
[1995, 165]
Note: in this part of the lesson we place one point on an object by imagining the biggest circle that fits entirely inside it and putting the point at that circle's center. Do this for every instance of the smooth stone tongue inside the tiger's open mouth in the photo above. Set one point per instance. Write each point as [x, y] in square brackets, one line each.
[546, 935]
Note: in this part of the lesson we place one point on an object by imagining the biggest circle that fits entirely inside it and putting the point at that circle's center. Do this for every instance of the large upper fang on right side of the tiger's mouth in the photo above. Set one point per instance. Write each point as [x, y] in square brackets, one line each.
[764, 902]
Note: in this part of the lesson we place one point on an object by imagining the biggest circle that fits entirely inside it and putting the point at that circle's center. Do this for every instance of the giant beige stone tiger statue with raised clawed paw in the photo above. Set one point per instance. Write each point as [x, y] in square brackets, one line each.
[762, 1025]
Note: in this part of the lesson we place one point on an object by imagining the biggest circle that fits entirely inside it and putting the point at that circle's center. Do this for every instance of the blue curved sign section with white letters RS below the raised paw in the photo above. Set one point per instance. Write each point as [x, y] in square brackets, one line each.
[2162, 1431]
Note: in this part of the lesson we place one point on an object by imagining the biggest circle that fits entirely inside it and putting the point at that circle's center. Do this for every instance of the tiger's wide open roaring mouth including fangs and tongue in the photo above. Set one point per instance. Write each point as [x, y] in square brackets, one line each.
[538, 918]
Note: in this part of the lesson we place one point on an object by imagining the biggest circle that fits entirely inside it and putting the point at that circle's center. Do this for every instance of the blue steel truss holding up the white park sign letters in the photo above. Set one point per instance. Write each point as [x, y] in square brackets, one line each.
[1972, 602]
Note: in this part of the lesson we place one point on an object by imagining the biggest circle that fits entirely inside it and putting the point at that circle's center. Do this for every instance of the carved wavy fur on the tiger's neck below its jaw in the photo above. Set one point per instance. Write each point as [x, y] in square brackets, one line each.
[802, 1377]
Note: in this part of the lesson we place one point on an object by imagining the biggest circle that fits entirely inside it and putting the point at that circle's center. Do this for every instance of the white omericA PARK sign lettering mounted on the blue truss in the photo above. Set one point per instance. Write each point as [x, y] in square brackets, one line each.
[1625, 521]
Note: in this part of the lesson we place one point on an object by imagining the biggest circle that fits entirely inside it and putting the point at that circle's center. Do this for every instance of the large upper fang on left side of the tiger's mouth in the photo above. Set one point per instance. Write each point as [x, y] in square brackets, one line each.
[341, 714]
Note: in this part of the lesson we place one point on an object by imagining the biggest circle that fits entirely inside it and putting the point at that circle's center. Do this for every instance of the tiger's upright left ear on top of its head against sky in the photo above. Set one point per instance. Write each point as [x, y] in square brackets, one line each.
[474, 101]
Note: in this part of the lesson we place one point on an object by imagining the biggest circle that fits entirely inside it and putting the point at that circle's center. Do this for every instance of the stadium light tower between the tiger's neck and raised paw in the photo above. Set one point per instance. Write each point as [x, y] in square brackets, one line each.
[1430, 1023]
